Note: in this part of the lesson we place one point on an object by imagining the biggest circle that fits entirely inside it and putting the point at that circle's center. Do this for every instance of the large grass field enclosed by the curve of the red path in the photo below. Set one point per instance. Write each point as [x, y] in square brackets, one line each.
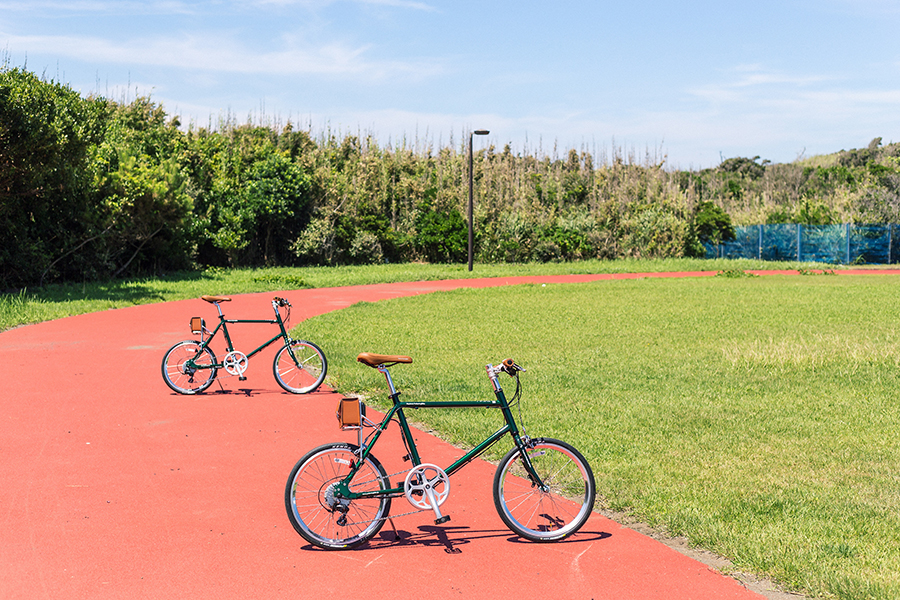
[755, 415]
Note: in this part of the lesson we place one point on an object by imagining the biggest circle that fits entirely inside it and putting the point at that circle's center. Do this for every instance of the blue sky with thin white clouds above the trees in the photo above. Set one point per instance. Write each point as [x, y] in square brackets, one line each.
[696, 81]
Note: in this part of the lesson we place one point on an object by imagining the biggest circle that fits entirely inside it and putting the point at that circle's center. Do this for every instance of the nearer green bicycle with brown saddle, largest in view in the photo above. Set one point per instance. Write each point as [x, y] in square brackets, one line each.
[339, 495]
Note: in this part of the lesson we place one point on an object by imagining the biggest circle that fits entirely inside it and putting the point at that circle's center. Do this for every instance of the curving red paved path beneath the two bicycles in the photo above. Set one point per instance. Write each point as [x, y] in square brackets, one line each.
[114, 487]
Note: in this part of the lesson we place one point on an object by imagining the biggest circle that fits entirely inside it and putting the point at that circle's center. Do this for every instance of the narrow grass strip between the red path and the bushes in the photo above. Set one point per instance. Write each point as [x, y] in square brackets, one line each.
[57, 301]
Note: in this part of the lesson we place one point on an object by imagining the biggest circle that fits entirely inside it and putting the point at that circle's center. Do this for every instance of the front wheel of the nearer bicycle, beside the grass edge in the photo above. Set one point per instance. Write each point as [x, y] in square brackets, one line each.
[556, 508]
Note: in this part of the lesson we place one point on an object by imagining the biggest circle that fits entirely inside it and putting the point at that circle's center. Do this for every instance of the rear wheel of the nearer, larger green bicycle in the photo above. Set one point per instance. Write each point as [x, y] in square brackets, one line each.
[317, 515]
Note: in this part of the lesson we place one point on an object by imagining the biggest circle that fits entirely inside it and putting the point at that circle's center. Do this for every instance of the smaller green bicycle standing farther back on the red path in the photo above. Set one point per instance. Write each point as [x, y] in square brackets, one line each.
[189, 367]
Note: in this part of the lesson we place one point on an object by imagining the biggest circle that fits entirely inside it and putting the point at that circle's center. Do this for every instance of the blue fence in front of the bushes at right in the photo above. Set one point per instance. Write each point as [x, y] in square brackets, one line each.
[835, 244]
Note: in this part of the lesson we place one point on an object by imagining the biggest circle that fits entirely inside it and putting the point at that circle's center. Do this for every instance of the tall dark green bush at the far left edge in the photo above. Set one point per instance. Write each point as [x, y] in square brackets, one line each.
[48, 197]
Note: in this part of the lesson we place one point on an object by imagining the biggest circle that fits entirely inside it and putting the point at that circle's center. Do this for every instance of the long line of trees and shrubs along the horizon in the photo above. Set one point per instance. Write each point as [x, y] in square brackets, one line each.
[92, 188]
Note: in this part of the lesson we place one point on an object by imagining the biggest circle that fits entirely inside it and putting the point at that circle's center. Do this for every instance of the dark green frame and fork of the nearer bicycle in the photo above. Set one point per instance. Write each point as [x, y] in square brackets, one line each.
[343, 488]
